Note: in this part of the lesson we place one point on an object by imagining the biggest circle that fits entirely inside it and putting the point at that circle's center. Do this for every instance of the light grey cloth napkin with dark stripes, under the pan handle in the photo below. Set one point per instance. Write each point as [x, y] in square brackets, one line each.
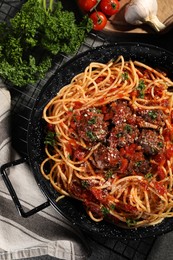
[46, 233]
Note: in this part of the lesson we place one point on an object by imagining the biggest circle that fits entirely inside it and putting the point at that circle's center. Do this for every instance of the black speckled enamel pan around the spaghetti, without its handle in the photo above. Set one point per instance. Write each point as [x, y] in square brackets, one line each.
[70, 208]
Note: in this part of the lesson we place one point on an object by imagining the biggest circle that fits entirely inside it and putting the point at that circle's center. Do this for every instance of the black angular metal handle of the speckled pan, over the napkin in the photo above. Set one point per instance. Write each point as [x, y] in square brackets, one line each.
[13, 193]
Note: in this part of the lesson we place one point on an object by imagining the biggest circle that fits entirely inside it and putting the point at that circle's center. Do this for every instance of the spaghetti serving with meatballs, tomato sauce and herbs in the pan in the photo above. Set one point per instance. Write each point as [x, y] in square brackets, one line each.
[109, 142]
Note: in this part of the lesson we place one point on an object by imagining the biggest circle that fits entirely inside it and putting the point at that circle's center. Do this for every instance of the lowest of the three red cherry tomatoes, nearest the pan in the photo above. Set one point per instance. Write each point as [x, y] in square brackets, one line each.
[99, 20]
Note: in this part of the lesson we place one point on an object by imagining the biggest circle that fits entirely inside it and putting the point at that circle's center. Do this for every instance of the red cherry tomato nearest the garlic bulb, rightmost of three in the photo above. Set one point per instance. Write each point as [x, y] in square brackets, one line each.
[109, 7]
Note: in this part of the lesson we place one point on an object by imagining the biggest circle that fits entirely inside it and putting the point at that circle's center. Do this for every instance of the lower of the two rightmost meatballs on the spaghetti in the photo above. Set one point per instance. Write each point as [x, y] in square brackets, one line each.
[151, 142]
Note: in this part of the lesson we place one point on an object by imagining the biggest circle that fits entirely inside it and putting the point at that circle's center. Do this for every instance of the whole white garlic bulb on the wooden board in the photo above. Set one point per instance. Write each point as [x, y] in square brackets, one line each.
[143, 11]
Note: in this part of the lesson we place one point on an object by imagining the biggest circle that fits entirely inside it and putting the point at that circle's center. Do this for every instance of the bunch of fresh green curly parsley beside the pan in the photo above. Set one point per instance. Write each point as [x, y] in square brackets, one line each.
[38, 32]
